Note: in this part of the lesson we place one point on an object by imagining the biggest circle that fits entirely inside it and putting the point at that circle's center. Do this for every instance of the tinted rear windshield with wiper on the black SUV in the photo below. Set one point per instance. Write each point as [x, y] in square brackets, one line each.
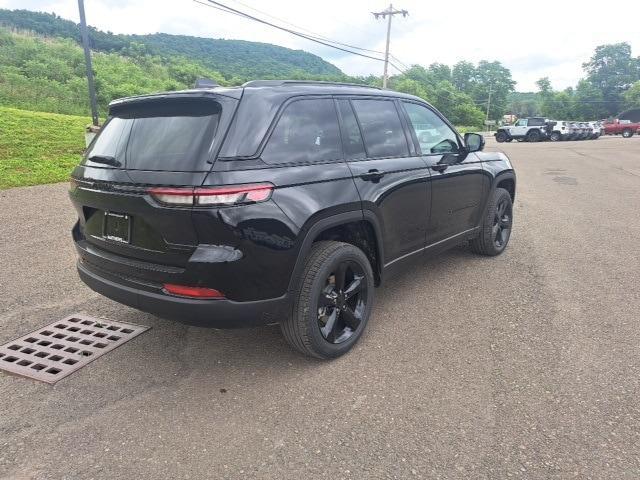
[175, 135]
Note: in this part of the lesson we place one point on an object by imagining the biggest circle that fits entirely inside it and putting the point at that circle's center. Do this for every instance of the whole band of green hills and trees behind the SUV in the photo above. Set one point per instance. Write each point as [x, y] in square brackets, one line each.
[42, 68]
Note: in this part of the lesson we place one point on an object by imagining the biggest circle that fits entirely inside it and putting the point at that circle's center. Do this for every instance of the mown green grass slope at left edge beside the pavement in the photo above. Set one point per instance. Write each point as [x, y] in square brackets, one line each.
[38, 147]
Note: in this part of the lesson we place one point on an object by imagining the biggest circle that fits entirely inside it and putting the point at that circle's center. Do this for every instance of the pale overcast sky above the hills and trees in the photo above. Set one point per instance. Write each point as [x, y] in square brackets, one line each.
[534, 40]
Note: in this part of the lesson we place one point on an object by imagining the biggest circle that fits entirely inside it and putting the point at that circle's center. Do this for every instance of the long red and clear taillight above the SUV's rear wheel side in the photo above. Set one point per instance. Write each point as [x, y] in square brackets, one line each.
[211, 196]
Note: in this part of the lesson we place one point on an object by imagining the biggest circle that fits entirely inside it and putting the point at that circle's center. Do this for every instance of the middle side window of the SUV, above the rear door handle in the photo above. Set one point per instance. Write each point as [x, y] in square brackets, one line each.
[381, 128]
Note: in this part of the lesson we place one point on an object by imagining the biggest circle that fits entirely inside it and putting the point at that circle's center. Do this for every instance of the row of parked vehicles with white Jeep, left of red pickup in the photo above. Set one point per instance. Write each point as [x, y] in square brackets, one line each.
[536, 129]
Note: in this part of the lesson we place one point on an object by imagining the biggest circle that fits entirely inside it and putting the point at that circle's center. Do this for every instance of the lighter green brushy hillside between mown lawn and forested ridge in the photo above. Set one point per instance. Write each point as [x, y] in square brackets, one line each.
[49, 74]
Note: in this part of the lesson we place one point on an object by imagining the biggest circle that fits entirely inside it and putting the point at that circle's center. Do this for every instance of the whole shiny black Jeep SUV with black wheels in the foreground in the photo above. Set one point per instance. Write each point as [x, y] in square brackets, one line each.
[279, 202]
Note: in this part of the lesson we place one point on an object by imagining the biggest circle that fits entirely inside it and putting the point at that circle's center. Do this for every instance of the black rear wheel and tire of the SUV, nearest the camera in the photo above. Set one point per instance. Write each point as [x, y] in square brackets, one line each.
[325, 321]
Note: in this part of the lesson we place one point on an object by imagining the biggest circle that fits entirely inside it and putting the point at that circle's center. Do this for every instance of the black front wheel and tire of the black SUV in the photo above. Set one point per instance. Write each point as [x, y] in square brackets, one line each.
[495, 230]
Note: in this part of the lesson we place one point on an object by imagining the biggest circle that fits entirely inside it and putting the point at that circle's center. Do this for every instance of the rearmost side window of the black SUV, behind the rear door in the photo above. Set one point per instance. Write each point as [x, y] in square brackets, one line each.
[307, 132]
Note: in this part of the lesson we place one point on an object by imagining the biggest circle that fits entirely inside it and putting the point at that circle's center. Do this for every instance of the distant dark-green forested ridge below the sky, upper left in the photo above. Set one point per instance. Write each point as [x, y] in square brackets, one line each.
[234, 59]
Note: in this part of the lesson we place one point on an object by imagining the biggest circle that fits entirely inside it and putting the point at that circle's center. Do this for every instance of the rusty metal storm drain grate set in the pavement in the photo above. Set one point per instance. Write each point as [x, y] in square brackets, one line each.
[56, 350]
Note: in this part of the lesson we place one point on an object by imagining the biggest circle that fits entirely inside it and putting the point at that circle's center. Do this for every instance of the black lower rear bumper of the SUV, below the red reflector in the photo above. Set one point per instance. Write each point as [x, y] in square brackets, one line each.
[219, 313]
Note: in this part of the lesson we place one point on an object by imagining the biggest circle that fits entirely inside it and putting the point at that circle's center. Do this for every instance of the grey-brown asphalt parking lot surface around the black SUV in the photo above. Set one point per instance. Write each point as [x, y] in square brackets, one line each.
[525, 365]
